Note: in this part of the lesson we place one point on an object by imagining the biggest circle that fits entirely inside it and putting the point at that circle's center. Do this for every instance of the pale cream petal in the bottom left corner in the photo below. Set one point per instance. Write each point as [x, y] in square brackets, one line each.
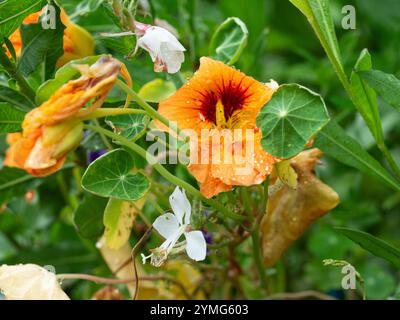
[29, 282]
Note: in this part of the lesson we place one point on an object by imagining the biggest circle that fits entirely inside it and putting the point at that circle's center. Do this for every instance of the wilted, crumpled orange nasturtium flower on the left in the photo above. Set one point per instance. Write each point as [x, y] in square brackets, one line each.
[55, 128]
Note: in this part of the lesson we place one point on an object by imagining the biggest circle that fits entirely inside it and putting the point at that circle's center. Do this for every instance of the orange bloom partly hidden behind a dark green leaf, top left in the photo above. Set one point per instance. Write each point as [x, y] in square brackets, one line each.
[77, 42]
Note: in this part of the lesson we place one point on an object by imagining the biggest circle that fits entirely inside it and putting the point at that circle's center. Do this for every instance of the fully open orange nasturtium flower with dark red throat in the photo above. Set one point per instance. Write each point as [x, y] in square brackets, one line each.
[219, 98]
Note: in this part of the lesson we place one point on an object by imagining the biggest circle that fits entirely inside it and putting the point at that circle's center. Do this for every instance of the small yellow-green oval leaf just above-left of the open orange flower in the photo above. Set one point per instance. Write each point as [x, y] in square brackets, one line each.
[157, 90]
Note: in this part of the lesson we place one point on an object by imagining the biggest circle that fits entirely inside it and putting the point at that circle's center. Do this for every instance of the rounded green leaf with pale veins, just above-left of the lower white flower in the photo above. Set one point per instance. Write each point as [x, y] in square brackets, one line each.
[110, 176]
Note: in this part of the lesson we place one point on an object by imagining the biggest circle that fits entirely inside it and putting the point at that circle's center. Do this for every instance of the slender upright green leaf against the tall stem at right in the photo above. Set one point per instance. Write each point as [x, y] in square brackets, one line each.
[365, 97]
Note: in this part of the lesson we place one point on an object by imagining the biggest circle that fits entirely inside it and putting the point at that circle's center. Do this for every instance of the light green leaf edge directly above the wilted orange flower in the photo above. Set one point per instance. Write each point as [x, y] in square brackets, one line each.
[62, 76]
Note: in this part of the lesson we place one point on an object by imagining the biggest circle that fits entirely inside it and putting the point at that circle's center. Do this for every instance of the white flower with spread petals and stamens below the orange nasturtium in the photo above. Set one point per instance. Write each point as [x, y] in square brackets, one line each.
[172, 227]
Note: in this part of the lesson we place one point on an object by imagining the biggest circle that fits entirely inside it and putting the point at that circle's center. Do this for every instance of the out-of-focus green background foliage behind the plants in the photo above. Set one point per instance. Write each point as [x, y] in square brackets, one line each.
[283, 47]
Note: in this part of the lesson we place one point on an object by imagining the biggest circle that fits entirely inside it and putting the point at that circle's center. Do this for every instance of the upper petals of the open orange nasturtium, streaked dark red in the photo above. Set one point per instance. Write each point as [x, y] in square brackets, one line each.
[193, 105]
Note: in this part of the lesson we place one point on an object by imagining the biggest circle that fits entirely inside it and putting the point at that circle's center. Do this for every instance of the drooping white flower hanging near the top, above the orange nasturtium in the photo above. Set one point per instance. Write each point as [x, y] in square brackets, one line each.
[164, 48]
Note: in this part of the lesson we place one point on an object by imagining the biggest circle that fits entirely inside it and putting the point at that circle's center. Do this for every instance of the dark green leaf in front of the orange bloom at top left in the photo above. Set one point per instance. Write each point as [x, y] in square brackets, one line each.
[39, 46]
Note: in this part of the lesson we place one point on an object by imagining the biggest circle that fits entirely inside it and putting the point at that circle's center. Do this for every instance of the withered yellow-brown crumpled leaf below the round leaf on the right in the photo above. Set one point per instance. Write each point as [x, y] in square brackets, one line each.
[291, 211]
